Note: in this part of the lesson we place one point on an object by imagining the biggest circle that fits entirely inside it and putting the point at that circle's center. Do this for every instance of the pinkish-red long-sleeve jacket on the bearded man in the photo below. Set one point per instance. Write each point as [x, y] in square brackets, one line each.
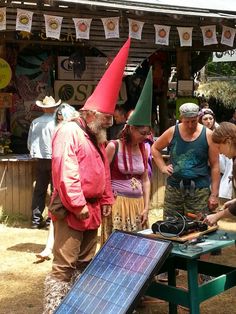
[79, 174]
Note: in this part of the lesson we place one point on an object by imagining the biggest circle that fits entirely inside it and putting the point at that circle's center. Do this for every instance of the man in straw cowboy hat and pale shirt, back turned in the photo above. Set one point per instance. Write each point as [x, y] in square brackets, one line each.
[40, 147]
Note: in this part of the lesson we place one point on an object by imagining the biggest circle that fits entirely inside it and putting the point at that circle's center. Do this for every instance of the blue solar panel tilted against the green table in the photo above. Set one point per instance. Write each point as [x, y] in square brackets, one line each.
[117, 276]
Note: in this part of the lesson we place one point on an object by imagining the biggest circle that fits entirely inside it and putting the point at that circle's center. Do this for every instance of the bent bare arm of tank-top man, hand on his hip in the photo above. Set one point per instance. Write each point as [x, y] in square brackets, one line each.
[162, 142]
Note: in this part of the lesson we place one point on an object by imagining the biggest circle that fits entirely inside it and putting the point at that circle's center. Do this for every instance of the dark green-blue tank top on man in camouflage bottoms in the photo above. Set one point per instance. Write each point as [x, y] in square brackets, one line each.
[189, 160]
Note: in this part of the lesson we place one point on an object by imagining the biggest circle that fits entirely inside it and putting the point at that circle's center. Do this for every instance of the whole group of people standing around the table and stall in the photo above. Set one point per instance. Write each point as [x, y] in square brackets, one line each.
[100, 174]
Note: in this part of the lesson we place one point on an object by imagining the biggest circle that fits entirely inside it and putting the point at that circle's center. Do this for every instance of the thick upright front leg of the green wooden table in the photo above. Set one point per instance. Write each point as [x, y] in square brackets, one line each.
[192, 270]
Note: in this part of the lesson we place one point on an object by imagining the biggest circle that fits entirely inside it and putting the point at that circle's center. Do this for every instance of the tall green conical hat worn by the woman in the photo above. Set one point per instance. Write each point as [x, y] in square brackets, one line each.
[143, 110]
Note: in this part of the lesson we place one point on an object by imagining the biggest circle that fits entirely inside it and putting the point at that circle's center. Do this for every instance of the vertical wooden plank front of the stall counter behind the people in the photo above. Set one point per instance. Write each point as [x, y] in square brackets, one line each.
[17, 179]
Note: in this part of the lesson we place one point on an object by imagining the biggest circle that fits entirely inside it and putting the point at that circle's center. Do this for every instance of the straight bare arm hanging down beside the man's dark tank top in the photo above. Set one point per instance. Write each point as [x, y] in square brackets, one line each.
[215, 171]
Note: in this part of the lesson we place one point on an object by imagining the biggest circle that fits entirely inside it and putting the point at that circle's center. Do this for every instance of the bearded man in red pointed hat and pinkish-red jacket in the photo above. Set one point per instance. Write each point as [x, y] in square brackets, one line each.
[81, 180]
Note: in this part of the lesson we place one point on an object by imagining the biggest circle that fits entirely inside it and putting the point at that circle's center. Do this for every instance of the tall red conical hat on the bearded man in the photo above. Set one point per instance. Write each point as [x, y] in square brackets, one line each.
[105, 95]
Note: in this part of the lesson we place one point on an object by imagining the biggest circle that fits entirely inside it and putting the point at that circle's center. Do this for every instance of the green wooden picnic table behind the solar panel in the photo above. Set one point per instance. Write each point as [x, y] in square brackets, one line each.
[224, 277]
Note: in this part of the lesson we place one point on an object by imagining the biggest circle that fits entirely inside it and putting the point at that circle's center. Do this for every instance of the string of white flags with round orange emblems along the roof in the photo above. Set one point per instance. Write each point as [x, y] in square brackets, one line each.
[53, 26]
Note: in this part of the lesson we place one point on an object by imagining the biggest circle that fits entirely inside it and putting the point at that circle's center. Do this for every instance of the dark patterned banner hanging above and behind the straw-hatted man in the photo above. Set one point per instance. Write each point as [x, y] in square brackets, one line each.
[33, 81]
